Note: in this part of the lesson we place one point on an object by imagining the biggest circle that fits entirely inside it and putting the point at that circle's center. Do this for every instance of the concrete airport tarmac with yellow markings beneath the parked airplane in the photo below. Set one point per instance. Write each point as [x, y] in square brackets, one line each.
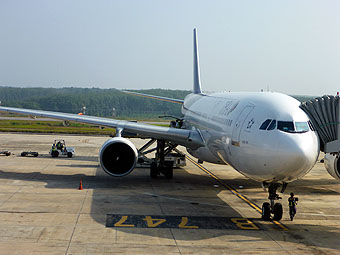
[43, 212]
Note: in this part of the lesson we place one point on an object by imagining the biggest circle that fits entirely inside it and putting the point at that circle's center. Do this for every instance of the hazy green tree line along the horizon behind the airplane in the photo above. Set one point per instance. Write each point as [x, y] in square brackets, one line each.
[98, 102]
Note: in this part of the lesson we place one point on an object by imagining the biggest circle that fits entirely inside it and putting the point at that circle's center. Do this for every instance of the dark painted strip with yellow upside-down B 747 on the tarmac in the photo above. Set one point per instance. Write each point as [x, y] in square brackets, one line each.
[183, 222]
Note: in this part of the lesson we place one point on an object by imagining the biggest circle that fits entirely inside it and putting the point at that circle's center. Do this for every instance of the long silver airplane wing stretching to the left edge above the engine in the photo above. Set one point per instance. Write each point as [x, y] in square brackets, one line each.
[188, 138]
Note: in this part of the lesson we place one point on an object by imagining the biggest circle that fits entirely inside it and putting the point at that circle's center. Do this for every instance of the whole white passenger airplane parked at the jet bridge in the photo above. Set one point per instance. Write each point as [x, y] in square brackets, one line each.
[265, 136]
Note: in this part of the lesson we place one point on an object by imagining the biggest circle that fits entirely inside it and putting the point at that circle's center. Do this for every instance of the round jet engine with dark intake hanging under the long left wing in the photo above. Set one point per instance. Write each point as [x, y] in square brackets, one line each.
[118, 156]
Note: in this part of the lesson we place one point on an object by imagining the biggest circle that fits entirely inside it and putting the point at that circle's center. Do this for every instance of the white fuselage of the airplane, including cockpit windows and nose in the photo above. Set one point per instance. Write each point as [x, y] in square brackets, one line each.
[265, 136]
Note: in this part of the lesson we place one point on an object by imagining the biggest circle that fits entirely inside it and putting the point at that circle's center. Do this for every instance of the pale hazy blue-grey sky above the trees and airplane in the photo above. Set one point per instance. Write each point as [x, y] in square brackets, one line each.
[289, 46]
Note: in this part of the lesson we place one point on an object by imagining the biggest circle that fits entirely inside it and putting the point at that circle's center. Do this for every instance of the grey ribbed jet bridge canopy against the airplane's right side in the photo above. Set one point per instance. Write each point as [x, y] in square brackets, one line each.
[324, 115]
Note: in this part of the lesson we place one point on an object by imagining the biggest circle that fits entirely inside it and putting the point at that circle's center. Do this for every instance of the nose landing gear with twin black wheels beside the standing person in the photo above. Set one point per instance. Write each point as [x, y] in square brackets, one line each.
[272, 207]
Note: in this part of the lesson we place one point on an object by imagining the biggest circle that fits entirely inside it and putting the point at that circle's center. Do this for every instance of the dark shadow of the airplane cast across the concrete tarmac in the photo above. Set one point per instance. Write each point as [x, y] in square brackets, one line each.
[185, 195]
